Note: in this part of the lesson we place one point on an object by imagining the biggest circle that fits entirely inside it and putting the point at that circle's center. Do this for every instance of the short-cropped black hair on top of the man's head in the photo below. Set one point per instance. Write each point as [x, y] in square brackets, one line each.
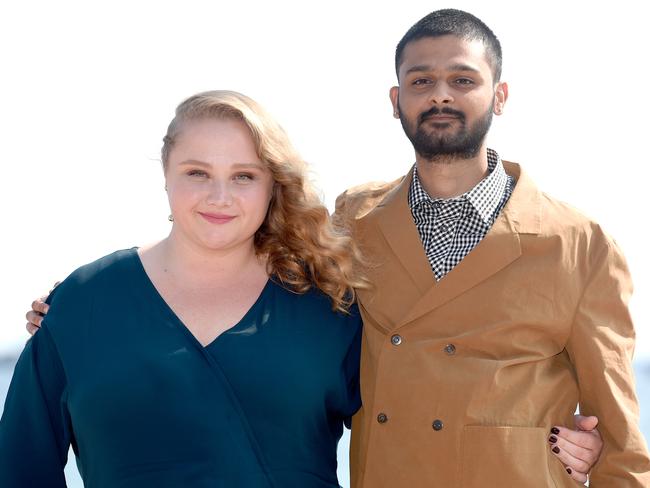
[456, 23]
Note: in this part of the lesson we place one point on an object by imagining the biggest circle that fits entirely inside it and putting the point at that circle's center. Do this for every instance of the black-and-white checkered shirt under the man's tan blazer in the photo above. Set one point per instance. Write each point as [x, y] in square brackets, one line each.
[450, 228]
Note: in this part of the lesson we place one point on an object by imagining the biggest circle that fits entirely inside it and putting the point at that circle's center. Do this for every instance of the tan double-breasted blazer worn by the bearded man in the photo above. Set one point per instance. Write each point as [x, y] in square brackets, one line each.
[462, 379]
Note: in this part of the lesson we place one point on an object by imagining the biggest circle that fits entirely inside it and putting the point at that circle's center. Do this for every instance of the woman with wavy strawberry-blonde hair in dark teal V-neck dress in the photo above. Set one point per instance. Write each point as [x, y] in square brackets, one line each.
[226, 354]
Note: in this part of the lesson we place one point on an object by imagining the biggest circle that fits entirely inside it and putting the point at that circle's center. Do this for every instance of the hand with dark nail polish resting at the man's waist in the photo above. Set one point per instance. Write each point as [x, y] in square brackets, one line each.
[577, 449]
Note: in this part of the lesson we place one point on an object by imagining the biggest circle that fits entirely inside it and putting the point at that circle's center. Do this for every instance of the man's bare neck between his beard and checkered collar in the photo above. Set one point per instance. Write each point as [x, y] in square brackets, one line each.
[448, 178]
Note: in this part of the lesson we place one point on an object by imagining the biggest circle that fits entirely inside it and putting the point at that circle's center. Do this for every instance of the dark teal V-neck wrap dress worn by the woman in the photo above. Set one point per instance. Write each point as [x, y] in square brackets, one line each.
[114, 373]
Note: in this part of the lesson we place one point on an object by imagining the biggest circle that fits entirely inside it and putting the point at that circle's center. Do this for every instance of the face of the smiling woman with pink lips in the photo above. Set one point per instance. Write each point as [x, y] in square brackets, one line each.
[219, 190]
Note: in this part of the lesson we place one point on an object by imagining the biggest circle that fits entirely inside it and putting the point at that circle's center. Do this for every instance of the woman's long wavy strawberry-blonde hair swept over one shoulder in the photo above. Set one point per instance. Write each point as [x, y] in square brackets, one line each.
[302, 247]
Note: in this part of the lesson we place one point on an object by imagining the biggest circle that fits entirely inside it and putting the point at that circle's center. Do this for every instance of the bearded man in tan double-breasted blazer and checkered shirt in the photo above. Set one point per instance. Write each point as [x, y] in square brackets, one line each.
[495, 309]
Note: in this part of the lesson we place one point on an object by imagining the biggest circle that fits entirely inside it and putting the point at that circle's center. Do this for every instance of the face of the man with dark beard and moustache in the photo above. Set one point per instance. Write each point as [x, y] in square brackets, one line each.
[446, 97]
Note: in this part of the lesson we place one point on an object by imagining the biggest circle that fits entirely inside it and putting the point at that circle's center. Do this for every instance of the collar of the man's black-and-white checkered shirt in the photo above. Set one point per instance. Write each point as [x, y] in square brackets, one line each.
[484, 197]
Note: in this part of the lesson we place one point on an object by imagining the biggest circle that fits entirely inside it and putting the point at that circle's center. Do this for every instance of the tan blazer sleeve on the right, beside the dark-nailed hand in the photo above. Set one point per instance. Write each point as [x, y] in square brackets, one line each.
[601, 346]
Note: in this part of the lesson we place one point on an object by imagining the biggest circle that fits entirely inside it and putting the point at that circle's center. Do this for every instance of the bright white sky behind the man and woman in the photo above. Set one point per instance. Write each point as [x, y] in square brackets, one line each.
[87, 89]
